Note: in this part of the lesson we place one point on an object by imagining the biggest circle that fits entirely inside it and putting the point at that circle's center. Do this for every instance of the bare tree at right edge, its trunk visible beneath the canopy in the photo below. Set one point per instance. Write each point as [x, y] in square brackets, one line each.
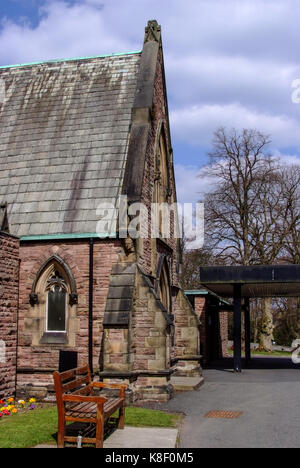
[274, 223]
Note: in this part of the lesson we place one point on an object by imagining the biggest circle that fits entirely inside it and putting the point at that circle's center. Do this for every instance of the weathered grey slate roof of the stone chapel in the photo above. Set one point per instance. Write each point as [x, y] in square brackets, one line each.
[64, 130]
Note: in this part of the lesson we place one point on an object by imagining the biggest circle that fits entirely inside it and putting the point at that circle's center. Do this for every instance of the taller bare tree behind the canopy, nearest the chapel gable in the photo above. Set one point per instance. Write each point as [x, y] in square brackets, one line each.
[241, 164]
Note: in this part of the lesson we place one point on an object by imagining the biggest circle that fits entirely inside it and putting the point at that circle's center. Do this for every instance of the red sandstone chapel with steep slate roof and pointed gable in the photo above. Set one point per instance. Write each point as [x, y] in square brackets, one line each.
[75, 134]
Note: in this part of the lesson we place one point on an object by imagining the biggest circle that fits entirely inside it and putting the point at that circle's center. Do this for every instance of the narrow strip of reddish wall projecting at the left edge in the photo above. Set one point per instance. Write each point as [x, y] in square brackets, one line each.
[9, 275]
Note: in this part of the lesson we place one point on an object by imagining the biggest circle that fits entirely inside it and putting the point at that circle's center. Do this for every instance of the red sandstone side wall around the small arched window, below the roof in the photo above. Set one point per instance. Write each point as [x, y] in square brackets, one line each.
[76, 255]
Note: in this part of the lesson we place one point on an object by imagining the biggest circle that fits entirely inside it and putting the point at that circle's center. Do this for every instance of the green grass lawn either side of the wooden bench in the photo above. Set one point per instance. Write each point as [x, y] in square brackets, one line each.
[32, 428]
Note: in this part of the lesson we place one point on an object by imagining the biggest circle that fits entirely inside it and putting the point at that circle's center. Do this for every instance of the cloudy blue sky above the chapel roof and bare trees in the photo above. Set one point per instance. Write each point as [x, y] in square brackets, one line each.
[228, 63]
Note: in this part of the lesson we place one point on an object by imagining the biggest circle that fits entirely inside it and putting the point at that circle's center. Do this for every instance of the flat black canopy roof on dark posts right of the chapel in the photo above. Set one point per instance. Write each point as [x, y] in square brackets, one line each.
[256, 281]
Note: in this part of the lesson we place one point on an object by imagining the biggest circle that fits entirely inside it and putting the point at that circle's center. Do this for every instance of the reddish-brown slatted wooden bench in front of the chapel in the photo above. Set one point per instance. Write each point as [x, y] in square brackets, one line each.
[76, 402]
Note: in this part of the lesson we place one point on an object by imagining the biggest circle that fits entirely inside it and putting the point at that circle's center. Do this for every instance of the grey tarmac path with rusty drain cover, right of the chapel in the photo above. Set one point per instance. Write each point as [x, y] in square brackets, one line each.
[268, 394]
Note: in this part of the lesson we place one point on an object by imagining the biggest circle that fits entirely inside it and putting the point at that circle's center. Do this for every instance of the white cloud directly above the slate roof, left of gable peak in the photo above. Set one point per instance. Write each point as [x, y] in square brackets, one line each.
[64, 31]
